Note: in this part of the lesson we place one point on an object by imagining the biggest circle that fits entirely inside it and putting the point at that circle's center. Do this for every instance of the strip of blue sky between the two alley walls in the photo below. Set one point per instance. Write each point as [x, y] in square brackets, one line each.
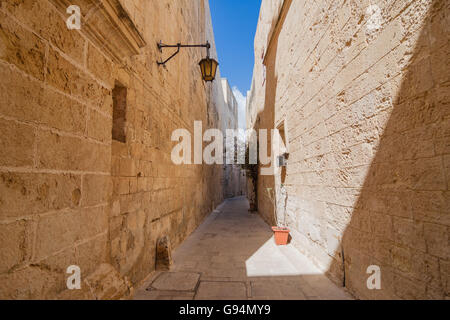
[234, 23]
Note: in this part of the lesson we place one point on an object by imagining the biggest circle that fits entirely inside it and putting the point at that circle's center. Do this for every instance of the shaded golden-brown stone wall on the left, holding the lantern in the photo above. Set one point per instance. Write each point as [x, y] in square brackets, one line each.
[69, 193]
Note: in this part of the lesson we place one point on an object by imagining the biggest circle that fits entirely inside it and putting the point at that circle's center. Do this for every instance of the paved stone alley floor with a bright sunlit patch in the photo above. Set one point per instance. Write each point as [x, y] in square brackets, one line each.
[232, 255]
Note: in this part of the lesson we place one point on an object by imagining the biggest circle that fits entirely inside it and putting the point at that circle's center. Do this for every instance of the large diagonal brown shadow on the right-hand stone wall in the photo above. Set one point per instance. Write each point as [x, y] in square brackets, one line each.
[401, 219]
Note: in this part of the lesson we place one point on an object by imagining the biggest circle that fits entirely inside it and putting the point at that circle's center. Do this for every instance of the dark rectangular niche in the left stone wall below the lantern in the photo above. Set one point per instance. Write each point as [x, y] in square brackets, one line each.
[119, 112]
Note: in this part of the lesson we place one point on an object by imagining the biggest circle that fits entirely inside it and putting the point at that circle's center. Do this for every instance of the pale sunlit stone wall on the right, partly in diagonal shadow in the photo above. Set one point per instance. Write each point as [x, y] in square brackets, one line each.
[368, 121]
